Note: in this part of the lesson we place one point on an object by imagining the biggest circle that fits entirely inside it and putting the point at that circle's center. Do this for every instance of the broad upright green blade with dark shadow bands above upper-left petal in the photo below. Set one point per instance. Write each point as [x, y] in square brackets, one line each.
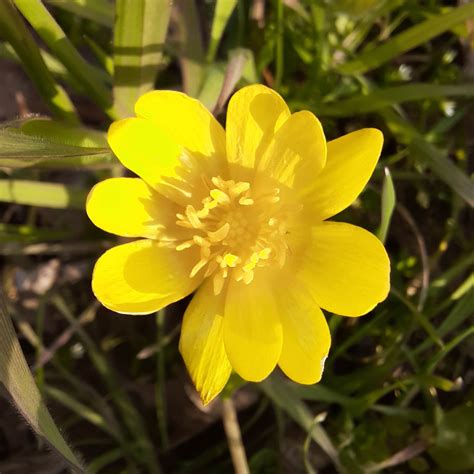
[139, 35]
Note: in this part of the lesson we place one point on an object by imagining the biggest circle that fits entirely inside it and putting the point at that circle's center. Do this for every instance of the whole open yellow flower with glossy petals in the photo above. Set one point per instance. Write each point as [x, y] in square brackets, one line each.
[239, 216]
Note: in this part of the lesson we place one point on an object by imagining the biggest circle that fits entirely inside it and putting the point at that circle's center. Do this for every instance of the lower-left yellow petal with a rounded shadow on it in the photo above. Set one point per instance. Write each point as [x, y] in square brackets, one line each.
[141, 277]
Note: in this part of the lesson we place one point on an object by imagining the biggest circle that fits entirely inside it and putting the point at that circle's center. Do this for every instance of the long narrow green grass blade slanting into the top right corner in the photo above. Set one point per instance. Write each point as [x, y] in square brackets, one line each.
[409, 39]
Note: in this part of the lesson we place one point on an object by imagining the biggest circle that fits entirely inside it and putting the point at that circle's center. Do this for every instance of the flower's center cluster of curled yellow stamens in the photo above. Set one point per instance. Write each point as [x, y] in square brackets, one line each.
[237, 231]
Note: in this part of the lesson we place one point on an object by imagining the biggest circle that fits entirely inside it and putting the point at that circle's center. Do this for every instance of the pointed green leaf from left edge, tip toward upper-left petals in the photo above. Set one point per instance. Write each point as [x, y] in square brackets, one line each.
[21, 150]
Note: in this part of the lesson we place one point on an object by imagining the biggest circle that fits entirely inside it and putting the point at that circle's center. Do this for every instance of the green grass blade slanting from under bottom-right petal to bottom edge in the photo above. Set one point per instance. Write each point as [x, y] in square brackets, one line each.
[285, 397]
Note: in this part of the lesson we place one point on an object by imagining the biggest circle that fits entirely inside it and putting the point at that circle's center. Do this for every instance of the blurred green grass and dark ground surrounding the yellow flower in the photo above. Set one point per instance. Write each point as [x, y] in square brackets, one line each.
[397, 394]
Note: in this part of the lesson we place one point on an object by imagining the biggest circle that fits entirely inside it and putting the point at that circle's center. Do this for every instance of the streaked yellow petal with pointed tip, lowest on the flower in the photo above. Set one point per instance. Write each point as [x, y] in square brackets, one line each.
[202, 343]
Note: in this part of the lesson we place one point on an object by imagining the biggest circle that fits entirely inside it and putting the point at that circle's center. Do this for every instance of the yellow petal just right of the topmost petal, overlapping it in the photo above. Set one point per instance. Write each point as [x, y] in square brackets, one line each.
[297, 153]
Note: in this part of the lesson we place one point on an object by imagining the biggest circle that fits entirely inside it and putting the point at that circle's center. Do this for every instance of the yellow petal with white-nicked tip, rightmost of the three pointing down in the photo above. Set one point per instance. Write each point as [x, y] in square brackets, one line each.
[306, 336]
